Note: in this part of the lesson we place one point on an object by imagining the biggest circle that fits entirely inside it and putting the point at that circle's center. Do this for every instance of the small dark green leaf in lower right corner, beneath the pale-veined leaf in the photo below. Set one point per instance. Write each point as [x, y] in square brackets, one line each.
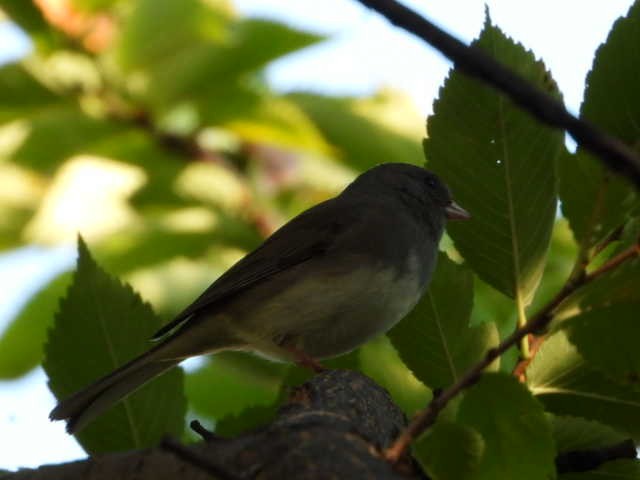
[575, 433]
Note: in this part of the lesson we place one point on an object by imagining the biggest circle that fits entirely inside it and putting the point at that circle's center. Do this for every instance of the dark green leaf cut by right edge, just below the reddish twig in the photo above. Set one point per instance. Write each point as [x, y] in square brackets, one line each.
[607, 338]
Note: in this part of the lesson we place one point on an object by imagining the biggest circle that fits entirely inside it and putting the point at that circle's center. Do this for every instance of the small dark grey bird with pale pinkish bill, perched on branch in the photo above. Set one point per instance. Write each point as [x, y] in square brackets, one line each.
[333, 277]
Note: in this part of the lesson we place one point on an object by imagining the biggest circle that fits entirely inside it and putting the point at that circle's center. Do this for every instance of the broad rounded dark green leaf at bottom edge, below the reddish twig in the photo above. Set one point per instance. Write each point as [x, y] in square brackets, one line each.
[516, 432]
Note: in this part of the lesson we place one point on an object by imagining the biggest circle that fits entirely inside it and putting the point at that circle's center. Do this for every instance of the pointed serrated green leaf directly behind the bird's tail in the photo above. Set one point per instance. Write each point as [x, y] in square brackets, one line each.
[102, 324]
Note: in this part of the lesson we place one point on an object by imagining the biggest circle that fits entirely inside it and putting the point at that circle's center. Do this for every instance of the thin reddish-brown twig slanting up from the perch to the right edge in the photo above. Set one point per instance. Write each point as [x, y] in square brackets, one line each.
[536, 323]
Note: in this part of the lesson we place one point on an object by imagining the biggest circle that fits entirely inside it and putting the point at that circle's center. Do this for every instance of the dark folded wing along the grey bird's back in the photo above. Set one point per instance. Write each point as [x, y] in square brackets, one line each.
[309, 234]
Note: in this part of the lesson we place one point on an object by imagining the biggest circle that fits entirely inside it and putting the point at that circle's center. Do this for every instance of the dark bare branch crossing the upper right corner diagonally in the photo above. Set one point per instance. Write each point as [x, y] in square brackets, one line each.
[473, 61]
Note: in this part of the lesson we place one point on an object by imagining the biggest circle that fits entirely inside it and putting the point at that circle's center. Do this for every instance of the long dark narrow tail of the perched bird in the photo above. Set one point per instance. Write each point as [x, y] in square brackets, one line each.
[87, 404]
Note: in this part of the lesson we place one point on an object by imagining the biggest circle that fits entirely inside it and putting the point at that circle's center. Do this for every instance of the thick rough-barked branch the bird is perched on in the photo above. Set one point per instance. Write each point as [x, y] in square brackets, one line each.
[333, 426]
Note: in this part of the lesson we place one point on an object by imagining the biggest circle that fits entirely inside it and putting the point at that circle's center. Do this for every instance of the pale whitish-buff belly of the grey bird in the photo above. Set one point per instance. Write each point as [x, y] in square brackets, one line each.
[330, 315]
